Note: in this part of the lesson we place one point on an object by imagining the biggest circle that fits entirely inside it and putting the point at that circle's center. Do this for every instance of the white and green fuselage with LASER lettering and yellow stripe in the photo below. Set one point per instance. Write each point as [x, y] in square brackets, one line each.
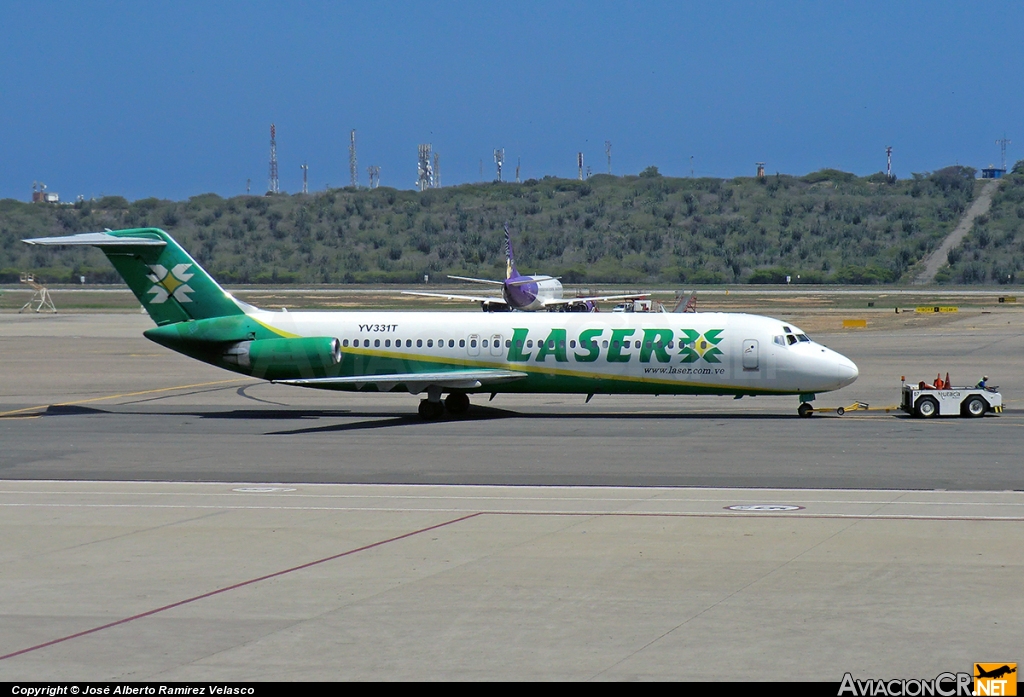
[660, 354]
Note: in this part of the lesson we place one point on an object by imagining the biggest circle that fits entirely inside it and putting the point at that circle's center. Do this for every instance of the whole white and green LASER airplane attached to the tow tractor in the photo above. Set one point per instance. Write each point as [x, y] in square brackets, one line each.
[461, 354]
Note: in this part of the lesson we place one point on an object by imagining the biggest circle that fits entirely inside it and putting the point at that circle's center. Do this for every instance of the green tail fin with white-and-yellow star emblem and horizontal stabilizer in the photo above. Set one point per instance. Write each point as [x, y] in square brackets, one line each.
[172, 286]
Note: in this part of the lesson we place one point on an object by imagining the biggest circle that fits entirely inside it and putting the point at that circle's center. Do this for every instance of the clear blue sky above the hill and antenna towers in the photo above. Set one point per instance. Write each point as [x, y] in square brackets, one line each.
[175, 100]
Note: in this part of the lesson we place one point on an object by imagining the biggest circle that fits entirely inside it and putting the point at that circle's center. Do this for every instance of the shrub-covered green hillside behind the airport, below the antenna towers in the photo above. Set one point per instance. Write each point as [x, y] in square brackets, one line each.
[827, 228]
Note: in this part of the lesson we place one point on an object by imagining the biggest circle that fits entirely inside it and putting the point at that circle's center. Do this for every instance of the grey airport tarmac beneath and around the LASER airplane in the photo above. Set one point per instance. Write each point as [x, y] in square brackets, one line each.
[164, 520]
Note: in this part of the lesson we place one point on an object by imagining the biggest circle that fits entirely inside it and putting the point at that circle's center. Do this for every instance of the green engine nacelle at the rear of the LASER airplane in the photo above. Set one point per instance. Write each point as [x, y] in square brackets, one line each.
[284, 359]
